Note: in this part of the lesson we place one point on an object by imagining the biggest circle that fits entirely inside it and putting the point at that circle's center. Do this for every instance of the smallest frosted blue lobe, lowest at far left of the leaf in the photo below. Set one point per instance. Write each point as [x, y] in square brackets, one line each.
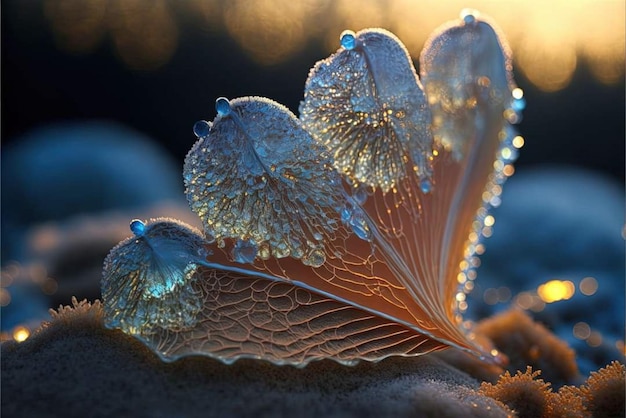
[146, 277]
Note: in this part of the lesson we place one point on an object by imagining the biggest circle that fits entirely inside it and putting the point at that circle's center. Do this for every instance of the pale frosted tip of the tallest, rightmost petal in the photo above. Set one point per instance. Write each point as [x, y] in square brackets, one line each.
[466, 72]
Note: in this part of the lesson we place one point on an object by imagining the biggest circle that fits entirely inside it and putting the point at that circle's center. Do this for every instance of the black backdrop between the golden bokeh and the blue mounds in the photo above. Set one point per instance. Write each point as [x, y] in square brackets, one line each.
[581, 125]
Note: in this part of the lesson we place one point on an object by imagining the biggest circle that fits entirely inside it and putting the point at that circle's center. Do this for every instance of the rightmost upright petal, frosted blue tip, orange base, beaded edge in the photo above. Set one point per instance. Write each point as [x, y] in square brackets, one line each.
[466, 70]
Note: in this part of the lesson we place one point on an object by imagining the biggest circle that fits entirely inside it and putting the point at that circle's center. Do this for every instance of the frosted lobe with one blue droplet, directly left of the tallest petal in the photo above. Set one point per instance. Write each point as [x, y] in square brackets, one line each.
[365, 103]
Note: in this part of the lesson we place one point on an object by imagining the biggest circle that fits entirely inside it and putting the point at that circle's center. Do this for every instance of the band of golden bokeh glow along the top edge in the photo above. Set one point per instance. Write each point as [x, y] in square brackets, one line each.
[549, 39]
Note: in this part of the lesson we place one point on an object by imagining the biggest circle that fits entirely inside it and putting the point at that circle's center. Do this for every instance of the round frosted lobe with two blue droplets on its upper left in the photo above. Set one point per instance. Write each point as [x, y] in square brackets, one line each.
[259, 176]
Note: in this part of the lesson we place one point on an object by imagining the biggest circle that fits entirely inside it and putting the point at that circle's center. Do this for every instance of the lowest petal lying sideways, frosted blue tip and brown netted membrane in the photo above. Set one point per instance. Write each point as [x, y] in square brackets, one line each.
[228, 312]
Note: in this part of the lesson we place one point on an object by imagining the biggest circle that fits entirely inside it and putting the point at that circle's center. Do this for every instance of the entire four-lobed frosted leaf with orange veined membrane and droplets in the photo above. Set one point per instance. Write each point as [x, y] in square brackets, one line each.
[344, 236]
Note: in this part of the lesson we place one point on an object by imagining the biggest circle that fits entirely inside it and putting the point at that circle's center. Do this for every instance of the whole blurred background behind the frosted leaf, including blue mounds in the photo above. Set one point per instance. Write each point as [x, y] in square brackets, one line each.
[99, 98]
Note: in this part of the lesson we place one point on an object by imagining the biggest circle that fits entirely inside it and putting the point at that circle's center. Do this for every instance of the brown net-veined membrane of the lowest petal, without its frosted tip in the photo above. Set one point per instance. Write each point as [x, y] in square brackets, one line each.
[250, 317]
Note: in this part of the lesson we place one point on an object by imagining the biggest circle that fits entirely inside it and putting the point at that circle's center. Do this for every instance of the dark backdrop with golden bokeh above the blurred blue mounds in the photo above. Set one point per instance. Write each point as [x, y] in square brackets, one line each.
[157, 66]
